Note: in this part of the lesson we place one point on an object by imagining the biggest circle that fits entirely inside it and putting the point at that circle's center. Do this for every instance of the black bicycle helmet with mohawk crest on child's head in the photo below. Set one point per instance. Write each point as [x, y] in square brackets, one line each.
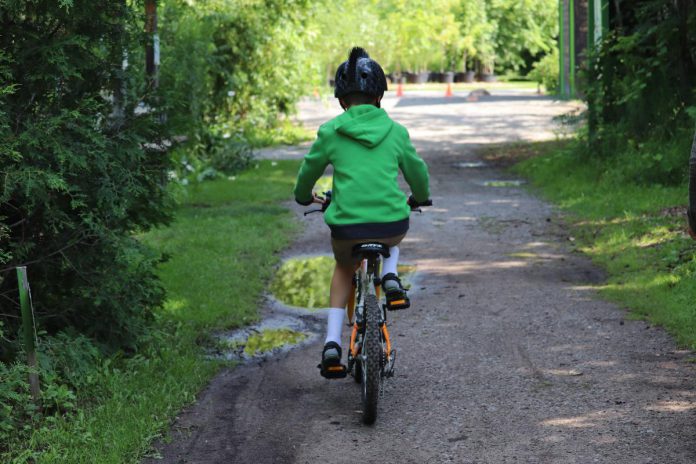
[360, 74]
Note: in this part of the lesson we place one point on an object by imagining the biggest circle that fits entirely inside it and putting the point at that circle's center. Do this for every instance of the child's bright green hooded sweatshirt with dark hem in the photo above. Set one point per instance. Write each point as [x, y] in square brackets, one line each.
[367, 149]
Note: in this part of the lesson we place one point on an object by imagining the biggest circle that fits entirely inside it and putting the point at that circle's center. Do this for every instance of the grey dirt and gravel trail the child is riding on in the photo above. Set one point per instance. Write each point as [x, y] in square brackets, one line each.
[507, 355]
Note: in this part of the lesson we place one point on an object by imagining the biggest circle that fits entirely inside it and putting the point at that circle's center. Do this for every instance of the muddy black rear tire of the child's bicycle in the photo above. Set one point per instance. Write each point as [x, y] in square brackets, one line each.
[372, 365]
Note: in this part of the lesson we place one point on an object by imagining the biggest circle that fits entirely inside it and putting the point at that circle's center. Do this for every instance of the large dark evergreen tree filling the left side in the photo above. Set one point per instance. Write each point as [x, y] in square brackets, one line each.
[80, 171]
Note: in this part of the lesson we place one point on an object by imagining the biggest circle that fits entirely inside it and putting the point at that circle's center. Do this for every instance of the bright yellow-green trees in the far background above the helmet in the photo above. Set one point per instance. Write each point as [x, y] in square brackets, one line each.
[437, 35]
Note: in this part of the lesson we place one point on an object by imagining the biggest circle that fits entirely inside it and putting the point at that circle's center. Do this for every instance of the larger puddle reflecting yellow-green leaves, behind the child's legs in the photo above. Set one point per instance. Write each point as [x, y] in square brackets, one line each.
[305, 282]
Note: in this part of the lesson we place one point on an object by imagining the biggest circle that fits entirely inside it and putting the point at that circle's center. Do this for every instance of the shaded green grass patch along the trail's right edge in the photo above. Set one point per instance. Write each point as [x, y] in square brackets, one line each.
[636, 231]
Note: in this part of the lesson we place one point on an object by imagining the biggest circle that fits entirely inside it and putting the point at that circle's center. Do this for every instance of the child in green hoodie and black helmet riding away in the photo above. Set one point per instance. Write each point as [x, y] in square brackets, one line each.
[367, 149]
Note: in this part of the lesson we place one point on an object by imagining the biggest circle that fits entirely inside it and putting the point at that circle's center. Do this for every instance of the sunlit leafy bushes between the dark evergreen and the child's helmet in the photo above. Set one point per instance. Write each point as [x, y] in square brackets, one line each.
[230, 70]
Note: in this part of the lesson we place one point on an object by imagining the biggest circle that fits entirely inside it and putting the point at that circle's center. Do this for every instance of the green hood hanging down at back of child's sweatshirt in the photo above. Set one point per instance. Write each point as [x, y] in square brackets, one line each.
[365, 124]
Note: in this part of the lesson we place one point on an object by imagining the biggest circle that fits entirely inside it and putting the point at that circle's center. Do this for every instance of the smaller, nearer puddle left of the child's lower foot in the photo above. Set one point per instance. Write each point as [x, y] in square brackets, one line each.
[273, 335]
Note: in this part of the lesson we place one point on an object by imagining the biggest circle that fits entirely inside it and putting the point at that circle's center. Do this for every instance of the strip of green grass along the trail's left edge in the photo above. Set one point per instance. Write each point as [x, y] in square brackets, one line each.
[222, 248]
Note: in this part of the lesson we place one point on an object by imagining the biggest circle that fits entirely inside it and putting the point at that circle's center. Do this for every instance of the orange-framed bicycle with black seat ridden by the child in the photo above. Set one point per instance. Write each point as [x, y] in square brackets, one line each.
[371, 357]
